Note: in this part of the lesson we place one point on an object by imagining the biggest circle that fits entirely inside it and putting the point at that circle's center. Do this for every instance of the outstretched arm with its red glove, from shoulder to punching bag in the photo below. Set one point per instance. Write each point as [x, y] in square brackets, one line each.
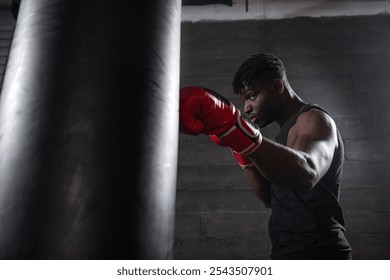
[299, 166]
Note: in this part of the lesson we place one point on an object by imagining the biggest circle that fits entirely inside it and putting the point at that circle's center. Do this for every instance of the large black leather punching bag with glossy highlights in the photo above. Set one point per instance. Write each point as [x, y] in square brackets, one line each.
[89, 131]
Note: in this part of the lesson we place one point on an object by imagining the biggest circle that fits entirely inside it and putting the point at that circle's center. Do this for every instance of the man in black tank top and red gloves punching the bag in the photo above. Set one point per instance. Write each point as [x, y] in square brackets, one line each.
[298, 175]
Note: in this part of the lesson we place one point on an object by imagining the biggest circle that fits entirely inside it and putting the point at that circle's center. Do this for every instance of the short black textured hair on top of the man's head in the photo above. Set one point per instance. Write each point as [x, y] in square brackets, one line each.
[264, 67]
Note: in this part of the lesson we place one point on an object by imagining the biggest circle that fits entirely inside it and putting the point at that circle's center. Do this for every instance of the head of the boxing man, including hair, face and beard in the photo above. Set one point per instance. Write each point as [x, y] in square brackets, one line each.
[261, 82]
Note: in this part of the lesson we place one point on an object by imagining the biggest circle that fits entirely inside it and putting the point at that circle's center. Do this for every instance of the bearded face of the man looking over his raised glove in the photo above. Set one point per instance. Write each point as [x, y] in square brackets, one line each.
[260, 104]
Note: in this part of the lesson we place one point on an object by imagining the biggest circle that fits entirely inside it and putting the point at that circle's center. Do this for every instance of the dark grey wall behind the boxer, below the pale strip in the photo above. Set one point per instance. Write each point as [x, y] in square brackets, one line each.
[340, 63]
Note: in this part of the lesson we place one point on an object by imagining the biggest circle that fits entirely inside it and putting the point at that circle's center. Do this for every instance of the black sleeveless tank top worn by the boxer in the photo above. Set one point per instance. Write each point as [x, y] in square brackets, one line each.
[309, 225]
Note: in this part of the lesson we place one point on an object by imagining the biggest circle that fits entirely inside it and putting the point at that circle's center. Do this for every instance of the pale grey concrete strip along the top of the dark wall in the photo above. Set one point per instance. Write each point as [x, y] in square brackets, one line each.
[282, 9]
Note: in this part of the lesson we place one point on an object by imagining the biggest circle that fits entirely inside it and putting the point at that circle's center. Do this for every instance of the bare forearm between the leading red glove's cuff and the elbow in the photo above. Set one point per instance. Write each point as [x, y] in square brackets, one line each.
[284, 166]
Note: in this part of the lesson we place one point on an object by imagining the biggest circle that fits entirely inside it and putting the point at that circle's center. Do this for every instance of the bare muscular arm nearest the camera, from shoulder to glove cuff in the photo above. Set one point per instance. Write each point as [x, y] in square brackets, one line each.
[307, 157]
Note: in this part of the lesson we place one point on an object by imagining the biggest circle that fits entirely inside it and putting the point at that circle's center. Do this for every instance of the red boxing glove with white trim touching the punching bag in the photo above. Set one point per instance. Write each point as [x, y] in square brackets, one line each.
[205, 111]
